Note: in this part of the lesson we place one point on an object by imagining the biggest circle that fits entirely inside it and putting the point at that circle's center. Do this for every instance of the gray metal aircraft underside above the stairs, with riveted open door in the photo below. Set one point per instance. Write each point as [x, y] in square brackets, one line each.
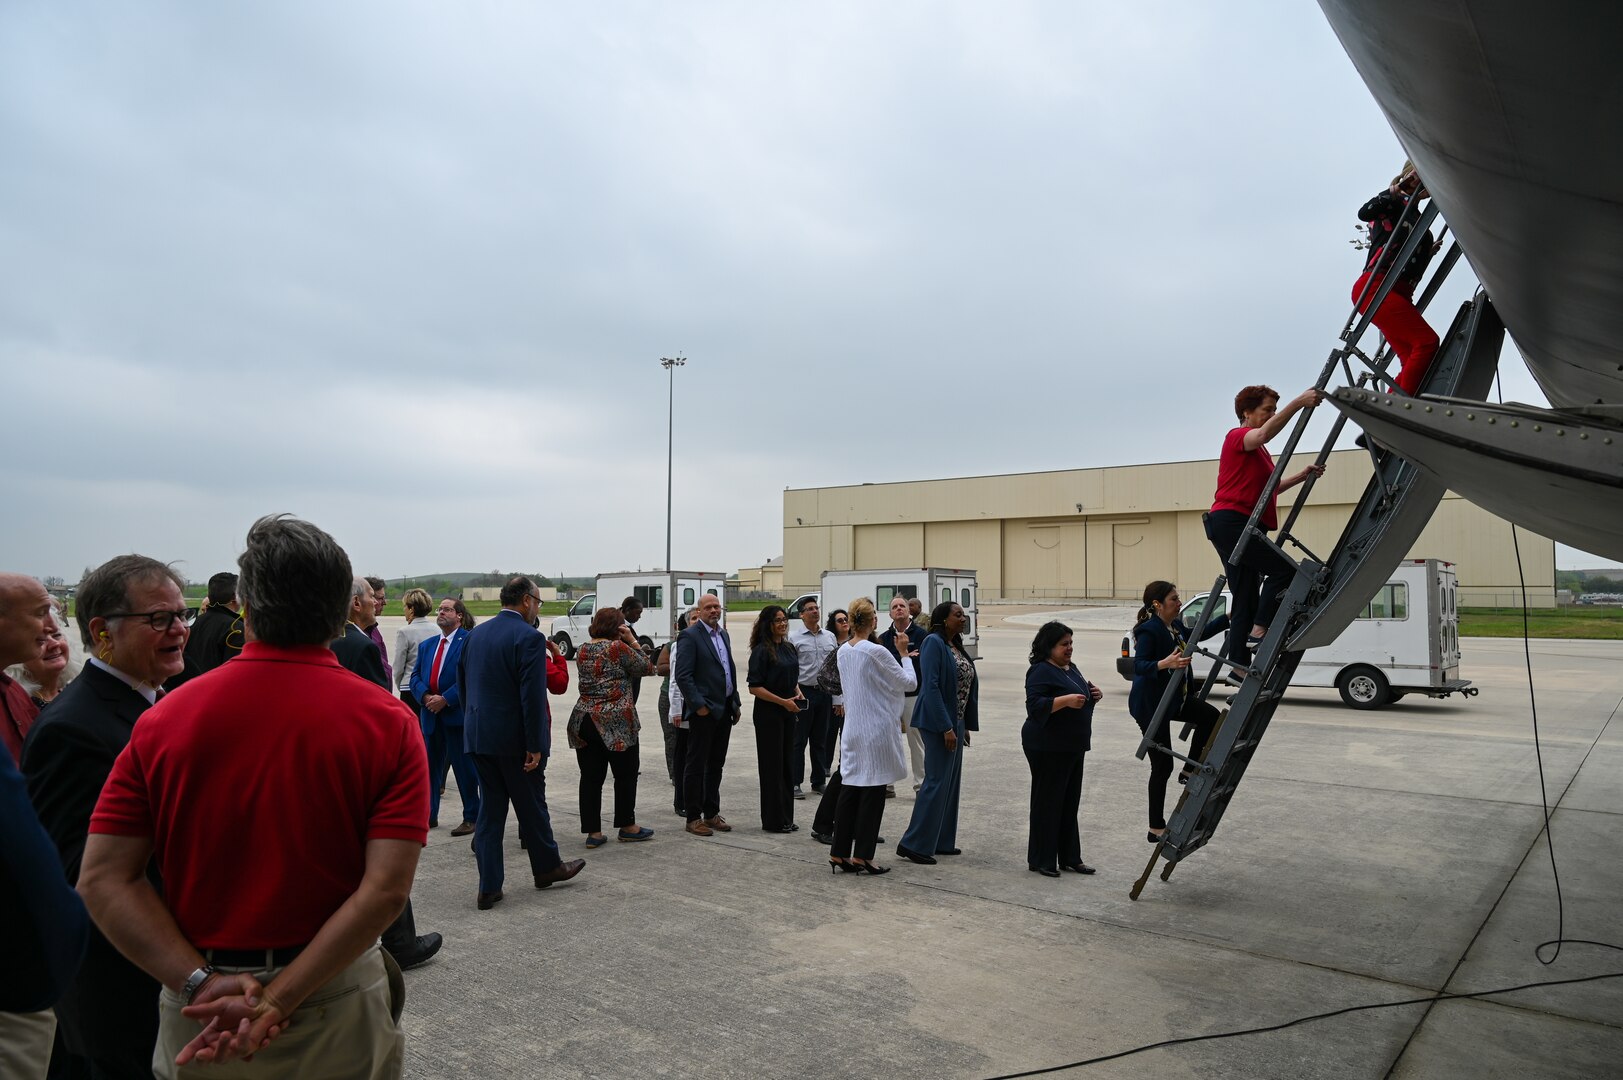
[1513, 113]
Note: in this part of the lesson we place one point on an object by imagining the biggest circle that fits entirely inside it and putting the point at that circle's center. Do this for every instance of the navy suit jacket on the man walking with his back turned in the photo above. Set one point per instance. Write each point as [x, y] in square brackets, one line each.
[502, 678]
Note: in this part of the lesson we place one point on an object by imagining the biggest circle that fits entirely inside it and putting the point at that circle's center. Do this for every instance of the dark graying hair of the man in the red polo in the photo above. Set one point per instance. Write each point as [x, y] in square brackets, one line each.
[296, 582]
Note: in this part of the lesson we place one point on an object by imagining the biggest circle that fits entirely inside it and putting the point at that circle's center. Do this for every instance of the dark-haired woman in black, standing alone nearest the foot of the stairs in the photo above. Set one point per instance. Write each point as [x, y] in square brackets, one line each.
[1057, 737]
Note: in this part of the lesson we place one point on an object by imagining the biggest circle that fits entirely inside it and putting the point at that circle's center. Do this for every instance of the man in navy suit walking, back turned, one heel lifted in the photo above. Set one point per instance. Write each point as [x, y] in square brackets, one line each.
[507, 728]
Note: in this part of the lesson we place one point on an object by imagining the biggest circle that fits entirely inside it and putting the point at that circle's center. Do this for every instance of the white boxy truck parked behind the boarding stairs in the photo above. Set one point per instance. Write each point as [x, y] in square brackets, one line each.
[1405, 642]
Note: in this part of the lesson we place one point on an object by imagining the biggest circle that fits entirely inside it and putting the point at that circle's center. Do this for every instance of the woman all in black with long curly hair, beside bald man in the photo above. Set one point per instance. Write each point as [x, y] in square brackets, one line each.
[775, 685]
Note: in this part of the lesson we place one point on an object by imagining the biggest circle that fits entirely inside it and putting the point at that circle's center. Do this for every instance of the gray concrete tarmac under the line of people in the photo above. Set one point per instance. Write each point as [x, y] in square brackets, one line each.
[1369, 857]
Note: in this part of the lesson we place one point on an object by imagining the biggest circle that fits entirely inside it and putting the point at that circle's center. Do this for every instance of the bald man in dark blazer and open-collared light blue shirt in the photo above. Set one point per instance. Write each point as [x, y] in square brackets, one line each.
[710, 706]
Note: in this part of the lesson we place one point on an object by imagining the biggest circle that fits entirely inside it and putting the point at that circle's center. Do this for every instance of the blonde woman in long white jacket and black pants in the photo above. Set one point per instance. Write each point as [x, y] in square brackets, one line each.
[872, 751]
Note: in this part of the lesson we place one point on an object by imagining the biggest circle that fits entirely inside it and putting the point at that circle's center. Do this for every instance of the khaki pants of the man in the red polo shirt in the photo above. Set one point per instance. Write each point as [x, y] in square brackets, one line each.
[345, 1032]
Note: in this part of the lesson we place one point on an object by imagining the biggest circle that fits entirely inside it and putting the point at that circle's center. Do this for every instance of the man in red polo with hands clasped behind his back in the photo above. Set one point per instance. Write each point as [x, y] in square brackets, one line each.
[286, 803]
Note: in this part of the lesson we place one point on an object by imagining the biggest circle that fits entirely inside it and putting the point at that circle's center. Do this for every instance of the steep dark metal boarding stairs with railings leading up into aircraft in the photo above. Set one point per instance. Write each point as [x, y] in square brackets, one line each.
[1327, 594]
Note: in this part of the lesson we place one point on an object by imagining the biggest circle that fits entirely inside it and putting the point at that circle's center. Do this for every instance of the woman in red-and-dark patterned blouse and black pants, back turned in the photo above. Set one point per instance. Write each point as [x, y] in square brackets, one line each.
[603, 727]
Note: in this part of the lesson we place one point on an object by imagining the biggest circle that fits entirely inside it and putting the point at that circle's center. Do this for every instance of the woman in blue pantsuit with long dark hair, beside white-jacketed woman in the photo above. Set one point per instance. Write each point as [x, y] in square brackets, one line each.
[945, 715]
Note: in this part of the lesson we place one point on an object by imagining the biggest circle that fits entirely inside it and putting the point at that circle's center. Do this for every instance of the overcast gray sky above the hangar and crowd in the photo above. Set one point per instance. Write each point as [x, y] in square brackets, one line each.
[408, 269]
